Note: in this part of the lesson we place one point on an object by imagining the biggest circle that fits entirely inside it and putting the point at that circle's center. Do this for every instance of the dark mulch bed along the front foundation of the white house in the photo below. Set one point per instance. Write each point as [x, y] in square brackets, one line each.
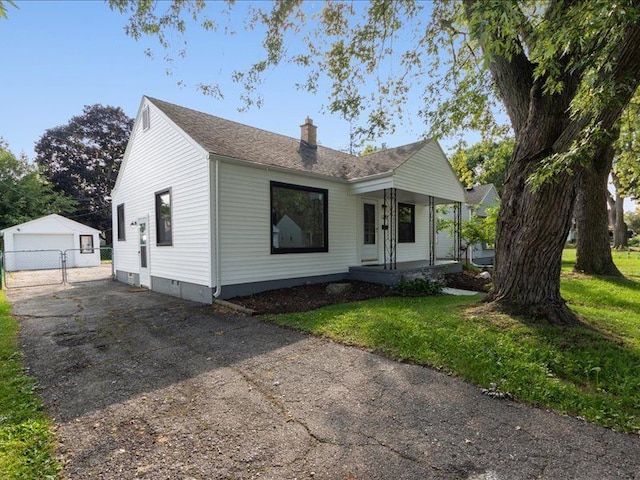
[310, 297]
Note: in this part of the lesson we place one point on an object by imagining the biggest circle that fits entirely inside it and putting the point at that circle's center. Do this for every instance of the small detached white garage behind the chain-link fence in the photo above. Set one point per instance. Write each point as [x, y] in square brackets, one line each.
[38, 244]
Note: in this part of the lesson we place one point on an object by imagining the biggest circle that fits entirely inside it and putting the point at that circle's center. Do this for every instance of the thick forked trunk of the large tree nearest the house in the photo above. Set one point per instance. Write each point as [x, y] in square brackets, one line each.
[534, 222]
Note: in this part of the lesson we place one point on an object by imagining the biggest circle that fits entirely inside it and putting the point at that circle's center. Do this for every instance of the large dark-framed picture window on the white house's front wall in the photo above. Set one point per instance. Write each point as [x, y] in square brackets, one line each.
[299, 219]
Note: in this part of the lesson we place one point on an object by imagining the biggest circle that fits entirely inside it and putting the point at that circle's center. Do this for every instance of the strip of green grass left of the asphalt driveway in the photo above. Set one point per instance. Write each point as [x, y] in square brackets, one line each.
[26, 439]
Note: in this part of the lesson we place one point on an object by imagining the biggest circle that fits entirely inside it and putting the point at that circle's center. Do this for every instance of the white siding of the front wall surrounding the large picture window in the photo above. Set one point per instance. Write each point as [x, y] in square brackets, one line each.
[245, 227]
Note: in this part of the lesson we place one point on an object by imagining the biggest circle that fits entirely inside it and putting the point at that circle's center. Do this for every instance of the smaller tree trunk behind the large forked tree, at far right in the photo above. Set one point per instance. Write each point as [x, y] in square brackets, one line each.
[593, 250]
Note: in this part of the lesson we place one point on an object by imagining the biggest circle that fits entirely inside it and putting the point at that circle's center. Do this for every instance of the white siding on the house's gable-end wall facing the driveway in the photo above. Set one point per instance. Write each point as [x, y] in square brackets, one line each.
[158, 159]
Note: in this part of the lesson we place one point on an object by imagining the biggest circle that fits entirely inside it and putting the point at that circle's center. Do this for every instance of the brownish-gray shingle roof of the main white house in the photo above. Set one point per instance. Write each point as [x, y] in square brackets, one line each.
[231, 139]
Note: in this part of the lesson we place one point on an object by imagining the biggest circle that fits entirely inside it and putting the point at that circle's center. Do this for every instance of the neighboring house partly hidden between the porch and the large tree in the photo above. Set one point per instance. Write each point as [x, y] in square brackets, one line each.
[478, 199]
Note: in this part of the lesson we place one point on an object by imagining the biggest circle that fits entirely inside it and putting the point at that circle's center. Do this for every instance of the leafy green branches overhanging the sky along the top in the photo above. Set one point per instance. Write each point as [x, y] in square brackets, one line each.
[377, 55]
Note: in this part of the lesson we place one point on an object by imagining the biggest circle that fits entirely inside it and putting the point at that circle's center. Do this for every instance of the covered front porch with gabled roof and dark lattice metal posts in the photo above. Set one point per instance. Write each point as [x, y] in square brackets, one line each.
[398, 219]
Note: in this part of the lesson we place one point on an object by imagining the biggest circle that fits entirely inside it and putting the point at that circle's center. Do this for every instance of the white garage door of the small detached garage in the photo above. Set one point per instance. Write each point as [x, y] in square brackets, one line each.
[39, 252]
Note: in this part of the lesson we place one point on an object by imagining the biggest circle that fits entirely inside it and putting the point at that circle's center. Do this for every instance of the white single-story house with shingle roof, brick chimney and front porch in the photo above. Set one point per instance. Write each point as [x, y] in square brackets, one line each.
[206, 207]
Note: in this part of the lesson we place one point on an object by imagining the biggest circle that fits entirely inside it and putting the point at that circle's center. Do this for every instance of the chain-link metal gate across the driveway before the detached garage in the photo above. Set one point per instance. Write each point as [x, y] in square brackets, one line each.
[34, 268]
